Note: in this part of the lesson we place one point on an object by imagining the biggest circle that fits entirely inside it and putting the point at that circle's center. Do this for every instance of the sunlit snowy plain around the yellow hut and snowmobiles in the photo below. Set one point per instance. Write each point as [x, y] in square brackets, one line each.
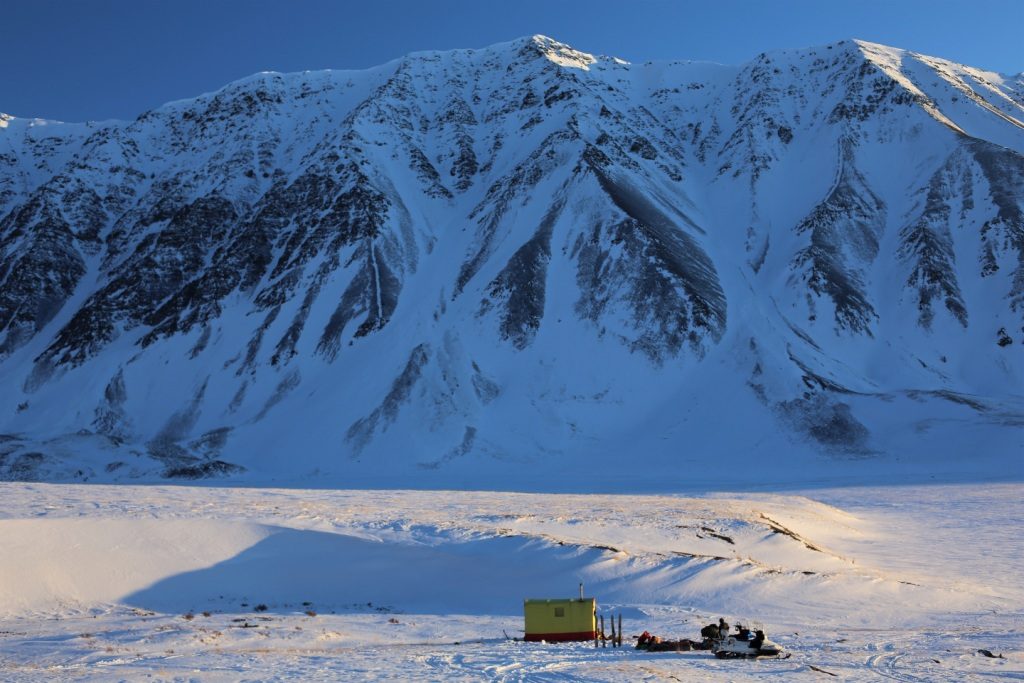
[169, 583]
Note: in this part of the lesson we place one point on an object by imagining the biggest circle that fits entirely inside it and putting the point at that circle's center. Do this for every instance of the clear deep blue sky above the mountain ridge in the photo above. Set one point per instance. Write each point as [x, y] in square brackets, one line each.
[81, 60]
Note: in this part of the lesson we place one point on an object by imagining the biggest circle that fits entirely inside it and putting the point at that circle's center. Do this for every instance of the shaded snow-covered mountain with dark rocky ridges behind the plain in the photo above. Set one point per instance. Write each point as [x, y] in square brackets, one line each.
[524, 266]
